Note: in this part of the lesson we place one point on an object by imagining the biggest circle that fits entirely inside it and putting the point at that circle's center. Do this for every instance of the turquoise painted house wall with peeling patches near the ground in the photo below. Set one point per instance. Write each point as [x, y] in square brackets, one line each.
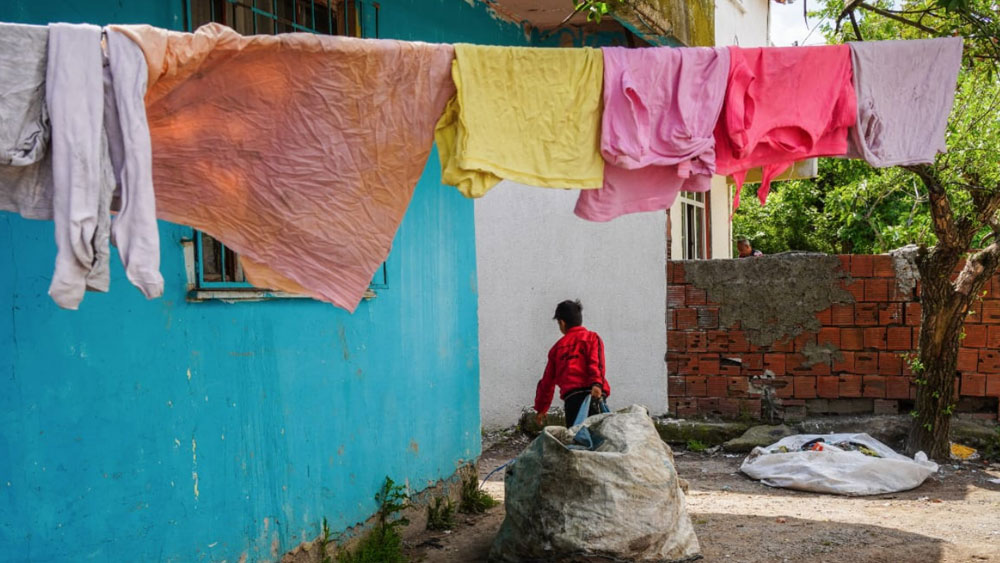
[164, 430]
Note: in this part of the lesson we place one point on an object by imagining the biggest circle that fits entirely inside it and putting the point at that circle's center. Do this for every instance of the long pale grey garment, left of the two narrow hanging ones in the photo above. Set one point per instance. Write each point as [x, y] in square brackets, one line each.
[81, 173]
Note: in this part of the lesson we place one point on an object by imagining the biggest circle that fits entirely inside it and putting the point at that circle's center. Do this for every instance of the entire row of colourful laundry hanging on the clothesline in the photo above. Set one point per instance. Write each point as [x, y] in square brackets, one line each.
[301, 152]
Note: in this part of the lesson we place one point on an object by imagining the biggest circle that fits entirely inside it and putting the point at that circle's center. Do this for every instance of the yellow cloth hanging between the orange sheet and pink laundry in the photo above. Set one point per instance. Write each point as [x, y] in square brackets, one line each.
[524, 114]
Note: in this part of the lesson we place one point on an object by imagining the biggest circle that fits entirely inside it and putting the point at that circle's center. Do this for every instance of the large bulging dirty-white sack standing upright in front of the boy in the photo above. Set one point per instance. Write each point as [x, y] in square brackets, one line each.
[622, 500]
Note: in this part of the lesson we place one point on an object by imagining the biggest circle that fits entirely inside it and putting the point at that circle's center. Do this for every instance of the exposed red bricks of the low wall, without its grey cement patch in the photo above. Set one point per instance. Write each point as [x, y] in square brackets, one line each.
[715, 370]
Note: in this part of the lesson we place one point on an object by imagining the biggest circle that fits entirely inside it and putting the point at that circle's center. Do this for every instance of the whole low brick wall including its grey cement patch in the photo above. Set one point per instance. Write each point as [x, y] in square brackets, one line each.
[812, 334]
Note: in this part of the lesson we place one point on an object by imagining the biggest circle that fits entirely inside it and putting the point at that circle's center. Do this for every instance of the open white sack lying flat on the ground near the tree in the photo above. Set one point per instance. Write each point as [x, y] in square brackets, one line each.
[834, 470]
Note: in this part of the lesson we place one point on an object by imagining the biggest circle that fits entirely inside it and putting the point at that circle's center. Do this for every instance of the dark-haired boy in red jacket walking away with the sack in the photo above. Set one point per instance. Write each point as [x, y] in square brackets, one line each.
[576, 365]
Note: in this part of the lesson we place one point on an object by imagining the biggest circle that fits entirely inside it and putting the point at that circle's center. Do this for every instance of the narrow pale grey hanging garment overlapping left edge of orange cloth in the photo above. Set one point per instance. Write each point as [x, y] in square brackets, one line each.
[134, 230]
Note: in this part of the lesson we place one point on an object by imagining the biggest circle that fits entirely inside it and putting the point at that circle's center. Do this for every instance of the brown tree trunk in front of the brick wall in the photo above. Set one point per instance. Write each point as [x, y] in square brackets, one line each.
[943, 316]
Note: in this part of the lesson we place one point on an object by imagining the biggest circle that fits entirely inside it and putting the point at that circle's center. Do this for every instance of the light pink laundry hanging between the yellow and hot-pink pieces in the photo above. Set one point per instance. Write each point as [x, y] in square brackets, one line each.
[660, 109]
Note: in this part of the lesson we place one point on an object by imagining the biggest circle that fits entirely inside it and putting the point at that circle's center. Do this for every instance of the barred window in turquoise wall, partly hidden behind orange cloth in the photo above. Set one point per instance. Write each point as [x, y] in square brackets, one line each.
[214, 271]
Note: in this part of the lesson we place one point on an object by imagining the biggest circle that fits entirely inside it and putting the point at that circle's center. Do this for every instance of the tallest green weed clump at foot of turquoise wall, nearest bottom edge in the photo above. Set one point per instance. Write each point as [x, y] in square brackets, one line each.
[384, 543]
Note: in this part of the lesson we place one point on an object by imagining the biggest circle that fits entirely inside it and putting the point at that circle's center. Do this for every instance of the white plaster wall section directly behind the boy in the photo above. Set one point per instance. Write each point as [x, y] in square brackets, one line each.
[532, 252]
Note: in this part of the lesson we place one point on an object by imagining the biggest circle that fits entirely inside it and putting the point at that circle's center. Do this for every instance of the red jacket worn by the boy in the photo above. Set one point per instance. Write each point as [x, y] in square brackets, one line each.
[576, 361]
